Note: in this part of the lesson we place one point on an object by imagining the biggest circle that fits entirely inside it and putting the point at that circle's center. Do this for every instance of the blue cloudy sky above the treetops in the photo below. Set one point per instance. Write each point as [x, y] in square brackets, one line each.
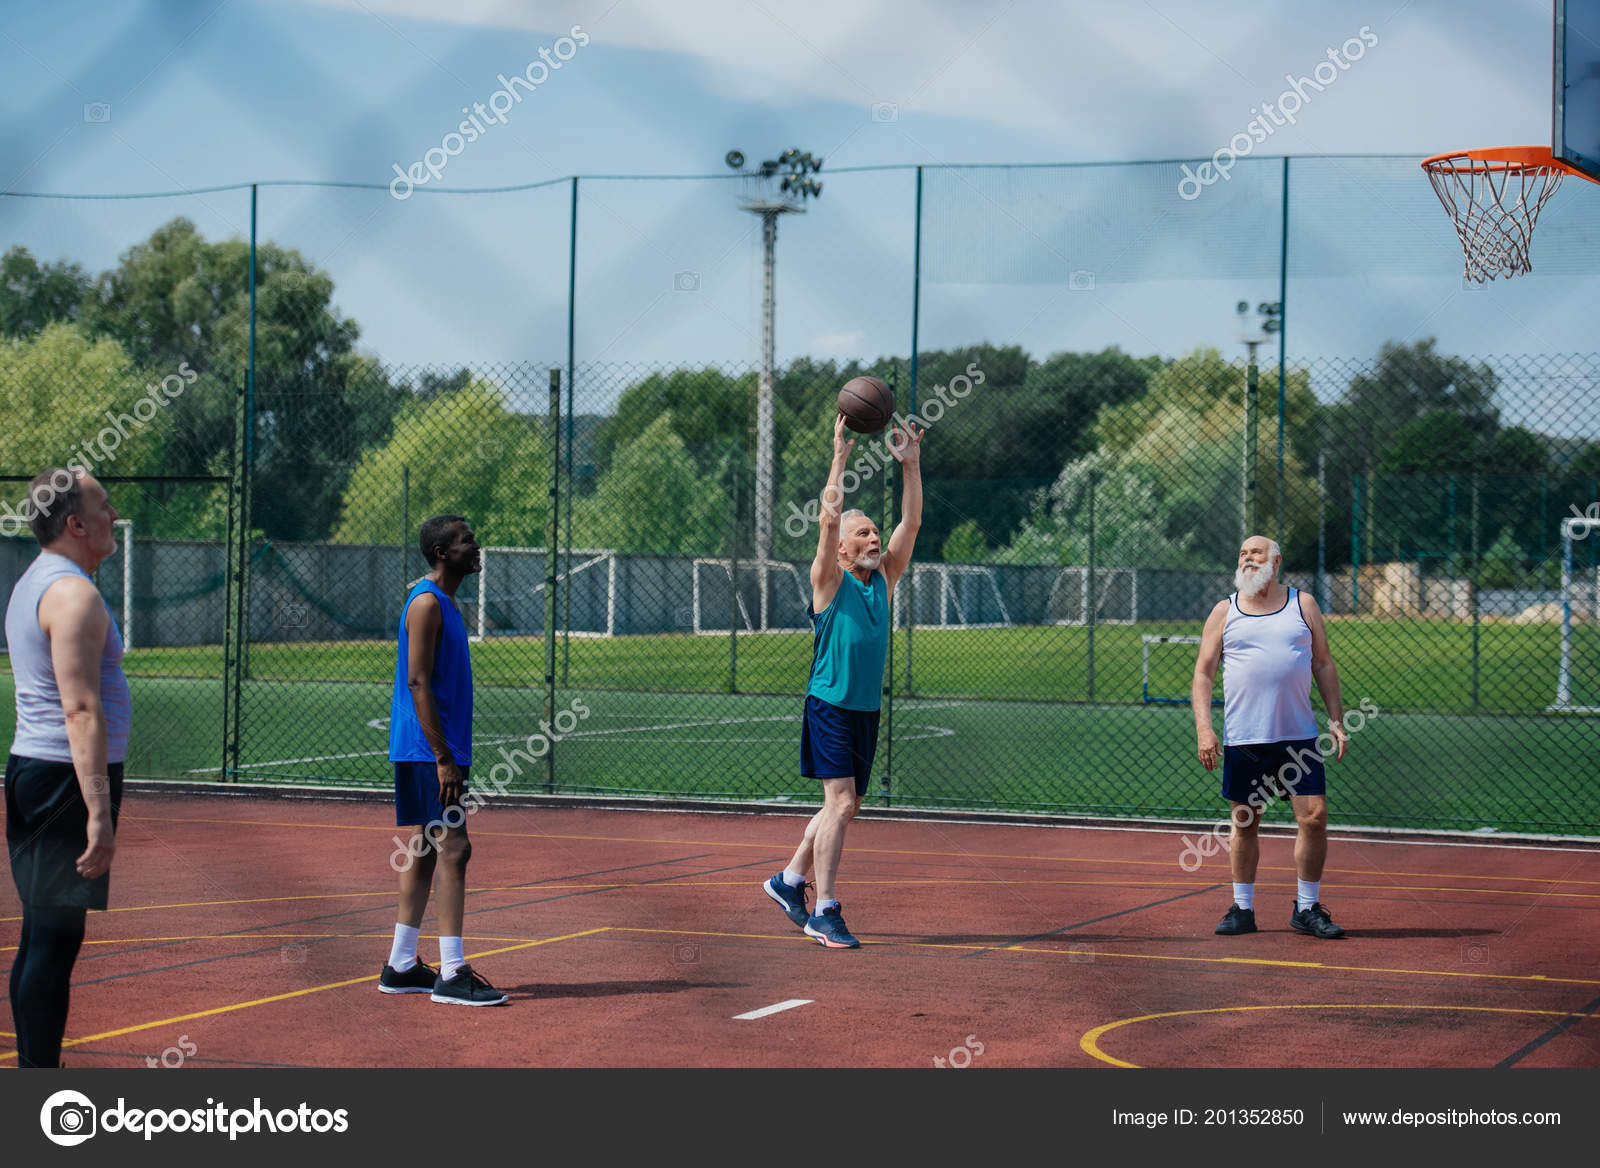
[175, 97]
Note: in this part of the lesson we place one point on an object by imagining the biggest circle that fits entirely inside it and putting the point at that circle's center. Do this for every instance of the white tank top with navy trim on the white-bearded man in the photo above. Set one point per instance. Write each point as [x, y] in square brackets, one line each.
[1266, 676]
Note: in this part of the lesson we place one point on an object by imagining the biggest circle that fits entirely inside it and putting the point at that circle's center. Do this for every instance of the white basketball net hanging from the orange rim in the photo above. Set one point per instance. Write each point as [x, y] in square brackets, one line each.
[1495, 207]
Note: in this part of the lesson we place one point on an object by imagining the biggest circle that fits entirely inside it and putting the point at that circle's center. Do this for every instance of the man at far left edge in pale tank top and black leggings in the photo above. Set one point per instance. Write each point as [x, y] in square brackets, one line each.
[63, 777]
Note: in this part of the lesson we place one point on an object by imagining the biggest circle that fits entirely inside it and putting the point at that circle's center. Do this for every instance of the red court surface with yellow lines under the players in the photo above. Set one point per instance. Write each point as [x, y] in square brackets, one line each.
[250, 932]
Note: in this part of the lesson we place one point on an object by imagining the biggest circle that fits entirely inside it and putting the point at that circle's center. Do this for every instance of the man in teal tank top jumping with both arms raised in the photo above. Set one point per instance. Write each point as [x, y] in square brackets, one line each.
[852, 583]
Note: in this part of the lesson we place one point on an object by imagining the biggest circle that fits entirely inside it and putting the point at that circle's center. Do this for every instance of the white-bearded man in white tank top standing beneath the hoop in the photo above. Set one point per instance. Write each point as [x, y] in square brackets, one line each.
[1273, 646]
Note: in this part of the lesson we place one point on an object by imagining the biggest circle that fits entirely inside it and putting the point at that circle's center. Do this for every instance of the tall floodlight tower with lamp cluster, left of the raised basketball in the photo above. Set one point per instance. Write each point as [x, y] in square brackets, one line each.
[778, 186]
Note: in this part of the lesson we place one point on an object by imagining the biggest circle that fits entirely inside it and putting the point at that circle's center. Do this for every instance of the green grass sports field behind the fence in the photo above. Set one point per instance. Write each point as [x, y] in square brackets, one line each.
[999, 719]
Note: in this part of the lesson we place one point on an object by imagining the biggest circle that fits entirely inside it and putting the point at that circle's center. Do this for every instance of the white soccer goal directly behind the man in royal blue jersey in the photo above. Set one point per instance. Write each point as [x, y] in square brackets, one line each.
[511, 593]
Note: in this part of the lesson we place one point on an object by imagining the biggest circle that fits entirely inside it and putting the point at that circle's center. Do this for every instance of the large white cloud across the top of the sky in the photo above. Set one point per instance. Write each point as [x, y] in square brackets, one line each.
[1084, 81]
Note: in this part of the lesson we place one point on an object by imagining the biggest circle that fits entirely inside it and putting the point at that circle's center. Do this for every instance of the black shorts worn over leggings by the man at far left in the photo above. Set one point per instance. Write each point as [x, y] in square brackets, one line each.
[47, 828]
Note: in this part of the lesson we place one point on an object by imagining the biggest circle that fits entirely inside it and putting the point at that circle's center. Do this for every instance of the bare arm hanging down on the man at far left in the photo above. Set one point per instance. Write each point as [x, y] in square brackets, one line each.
[74, 617]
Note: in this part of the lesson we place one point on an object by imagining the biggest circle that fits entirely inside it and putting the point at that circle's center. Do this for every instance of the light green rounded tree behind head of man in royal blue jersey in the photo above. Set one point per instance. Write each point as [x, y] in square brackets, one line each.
[468, 455]
